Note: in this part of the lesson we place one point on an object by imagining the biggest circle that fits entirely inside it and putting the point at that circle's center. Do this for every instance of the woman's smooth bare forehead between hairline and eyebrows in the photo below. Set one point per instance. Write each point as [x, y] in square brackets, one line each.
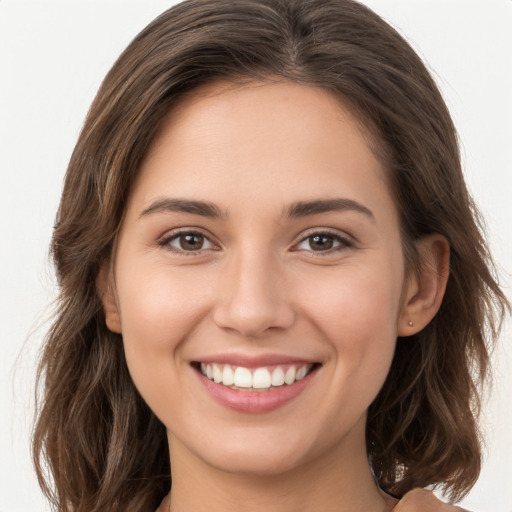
[279, 140]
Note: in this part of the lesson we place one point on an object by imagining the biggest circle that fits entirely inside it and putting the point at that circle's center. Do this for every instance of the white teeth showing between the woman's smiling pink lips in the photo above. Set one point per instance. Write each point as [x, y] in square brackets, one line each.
[255, 379]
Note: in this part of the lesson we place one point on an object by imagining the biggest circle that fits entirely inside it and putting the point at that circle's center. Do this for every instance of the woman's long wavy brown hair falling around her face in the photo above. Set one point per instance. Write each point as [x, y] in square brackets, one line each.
[102, 446]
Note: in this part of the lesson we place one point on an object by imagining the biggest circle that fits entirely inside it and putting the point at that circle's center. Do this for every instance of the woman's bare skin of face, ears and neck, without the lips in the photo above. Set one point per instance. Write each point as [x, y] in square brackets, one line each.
[257, 285]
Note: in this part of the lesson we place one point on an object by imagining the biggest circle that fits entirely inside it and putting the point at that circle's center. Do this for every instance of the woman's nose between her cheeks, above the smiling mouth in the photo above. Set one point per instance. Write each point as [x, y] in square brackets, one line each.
[252, 297]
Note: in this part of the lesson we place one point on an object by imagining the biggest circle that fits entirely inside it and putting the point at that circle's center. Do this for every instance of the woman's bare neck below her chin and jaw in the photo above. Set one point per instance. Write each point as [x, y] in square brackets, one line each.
[336, 481]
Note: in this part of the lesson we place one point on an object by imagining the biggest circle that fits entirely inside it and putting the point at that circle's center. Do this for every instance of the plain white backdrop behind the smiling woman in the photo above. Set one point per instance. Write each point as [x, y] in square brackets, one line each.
[53, 56]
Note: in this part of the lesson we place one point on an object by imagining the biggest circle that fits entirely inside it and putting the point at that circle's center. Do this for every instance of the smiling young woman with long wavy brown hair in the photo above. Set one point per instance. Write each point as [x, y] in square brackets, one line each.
[273, 287]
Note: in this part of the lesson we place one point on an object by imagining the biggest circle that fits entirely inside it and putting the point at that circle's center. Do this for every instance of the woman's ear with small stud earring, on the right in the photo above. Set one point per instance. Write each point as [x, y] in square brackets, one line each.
[426, 286]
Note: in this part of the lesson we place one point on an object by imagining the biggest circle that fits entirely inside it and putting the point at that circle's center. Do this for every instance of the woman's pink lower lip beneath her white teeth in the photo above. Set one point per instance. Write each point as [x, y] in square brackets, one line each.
[255, 402]
